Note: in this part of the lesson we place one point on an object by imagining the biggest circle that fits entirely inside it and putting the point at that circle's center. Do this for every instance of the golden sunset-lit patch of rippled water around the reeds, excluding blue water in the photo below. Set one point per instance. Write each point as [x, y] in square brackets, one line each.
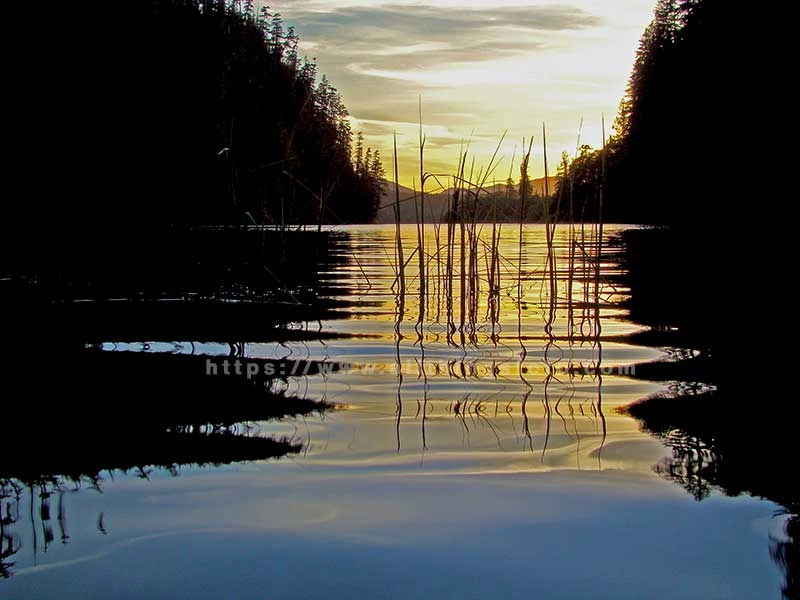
[514, 347]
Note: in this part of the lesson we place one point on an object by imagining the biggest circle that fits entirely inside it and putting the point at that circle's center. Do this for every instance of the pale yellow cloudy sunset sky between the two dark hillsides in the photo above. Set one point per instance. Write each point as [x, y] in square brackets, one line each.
[480, 67]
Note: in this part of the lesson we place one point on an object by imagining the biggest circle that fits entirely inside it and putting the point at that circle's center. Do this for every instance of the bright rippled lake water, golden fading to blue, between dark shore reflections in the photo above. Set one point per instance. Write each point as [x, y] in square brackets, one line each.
[398, 446]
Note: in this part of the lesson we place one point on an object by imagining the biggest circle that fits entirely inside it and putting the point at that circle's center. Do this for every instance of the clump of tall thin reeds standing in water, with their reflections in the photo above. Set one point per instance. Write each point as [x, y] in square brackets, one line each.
[460, 277]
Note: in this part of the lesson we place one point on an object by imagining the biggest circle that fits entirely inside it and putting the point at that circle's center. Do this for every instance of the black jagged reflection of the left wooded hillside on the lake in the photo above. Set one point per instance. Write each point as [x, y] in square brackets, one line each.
[104, 408]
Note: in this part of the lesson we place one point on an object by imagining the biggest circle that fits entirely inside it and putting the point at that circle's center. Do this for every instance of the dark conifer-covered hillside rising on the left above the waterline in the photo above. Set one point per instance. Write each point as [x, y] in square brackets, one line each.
[130, 117]
